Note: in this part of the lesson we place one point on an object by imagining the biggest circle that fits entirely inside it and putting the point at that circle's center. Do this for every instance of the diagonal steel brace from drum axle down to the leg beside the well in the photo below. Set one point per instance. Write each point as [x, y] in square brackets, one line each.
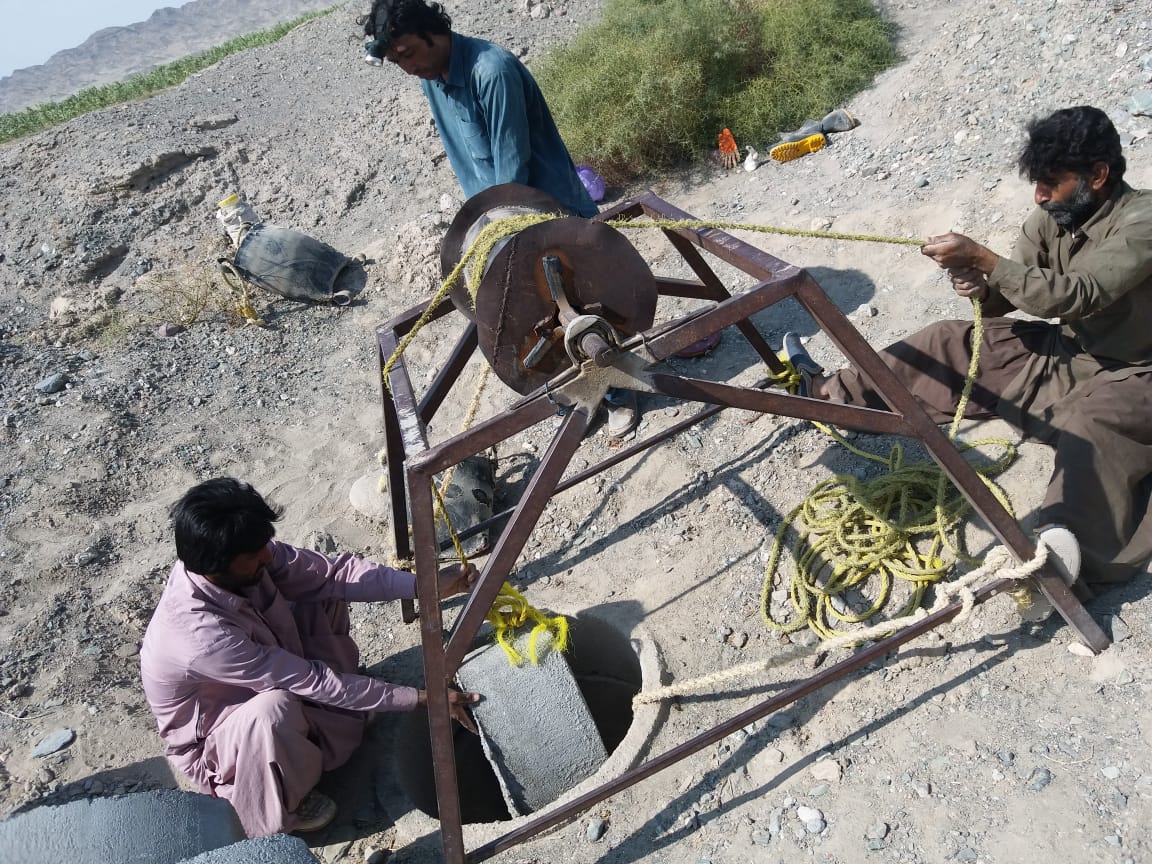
[507, 550]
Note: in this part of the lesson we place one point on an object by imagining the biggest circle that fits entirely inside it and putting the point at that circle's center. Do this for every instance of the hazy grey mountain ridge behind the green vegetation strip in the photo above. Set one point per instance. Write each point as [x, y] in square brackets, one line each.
[171, 34]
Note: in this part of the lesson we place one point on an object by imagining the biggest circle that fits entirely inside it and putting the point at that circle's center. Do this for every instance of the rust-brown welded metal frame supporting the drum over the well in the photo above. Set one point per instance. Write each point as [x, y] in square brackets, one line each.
[413, 464]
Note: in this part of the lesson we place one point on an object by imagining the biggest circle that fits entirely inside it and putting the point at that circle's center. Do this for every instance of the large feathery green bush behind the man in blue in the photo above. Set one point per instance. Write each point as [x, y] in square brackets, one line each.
[655, 82]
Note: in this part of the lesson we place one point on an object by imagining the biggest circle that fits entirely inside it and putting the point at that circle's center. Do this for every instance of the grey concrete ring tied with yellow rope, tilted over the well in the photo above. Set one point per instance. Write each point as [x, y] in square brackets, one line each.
[536, 727]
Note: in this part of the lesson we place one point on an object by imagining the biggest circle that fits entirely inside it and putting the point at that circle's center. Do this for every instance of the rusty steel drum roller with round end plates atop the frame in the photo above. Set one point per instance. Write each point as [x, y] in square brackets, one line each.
[542, 282]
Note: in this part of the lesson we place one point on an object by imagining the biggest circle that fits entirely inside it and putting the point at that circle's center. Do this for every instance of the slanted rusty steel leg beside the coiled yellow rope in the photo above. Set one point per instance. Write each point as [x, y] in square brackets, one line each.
[953, 464]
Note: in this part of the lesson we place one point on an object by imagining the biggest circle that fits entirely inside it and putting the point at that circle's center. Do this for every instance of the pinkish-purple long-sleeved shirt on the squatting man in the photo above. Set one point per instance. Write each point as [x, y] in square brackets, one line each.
[208, 650]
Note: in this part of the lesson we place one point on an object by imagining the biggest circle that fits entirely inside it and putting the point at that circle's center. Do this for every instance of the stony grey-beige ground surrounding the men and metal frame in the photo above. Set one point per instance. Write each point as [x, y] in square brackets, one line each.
[991, 742]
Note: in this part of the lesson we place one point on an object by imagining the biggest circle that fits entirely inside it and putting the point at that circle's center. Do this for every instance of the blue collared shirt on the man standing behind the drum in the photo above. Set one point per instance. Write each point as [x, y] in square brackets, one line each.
[497, 128]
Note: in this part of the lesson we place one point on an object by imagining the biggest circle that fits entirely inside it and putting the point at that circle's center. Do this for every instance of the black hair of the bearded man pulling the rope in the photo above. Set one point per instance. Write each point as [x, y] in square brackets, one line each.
[1072, 140]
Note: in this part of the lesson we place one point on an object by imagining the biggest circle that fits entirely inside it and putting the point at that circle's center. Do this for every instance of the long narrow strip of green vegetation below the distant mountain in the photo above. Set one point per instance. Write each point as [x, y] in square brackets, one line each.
[39, 118]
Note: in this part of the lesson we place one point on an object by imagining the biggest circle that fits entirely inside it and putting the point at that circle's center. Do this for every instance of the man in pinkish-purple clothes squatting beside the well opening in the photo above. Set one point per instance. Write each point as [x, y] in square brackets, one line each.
[248, 664]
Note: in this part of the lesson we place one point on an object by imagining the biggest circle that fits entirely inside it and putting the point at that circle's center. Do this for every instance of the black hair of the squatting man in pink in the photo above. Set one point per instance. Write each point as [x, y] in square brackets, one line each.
[218, 520]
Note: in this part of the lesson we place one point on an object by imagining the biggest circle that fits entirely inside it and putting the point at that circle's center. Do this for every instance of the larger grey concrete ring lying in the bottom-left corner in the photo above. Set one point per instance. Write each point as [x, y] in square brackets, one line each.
[154, 828]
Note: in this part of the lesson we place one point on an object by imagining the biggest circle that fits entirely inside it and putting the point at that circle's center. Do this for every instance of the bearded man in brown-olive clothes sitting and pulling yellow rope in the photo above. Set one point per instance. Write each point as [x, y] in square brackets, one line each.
[1082, 384]
